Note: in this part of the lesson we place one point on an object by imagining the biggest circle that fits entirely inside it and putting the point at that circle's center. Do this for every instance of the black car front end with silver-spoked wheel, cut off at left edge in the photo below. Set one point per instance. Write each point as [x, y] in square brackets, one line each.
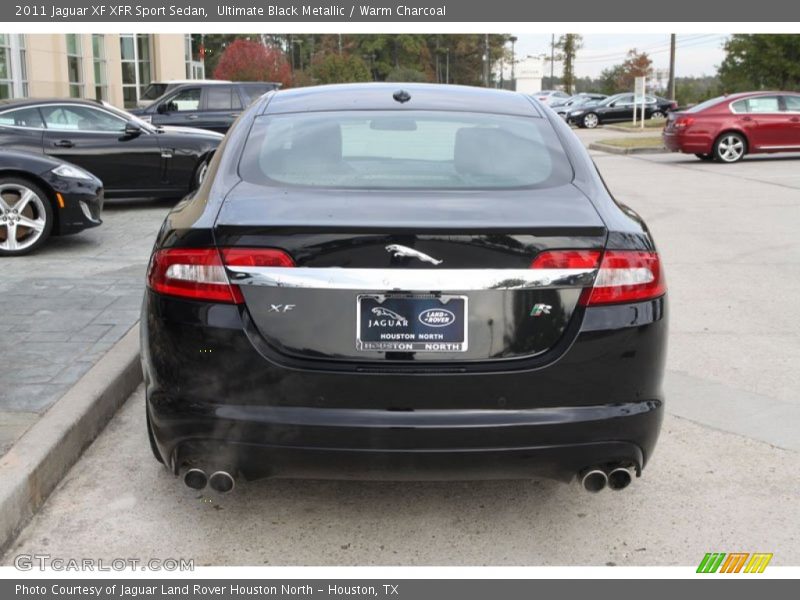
[42, 196]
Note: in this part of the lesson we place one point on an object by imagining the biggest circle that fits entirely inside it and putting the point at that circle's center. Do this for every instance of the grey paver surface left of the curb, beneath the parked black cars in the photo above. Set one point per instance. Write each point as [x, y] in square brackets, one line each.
[66, 305]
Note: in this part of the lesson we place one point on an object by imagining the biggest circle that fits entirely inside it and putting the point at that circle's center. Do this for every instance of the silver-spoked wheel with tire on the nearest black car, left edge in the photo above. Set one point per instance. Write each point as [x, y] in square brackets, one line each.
[23, 202]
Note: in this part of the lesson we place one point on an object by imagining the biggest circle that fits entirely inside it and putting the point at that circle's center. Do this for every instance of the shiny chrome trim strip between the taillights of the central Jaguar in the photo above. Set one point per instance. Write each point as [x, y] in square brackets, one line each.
[412, 280]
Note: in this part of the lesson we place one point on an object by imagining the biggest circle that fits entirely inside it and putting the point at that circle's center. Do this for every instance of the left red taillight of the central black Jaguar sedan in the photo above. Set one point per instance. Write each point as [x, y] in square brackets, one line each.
[199, 273]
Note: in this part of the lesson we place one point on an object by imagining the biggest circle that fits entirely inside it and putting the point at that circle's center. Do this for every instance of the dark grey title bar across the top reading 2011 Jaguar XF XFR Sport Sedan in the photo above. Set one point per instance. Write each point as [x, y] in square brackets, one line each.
[393, 11]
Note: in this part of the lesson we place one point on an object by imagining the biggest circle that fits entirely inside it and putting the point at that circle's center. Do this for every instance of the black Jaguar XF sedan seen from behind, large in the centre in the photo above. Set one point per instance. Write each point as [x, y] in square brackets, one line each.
[403, 282]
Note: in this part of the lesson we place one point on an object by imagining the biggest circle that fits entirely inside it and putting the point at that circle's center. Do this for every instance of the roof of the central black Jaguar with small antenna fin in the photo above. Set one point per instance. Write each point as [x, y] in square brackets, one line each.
[380, 96]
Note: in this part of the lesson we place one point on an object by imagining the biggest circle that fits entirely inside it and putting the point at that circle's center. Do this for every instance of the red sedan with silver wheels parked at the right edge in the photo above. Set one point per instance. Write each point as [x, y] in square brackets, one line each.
[728, 127]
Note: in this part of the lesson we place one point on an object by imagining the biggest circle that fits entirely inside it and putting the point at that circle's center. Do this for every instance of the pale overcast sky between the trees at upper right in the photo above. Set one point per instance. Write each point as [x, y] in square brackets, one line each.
[697, 54]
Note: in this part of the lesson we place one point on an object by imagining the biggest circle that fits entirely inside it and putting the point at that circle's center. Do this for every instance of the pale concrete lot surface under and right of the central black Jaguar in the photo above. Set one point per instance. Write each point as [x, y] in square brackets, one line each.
[724, 476]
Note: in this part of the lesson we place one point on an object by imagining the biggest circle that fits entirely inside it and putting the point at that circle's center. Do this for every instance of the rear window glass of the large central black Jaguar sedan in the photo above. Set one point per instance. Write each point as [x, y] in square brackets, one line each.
[401, 150]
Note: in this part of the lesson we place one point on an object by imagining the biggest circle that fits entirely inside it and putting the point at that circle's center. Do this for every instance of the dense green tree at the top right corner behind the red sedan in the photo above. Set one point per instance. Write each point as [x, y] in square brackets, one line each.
[761, 61]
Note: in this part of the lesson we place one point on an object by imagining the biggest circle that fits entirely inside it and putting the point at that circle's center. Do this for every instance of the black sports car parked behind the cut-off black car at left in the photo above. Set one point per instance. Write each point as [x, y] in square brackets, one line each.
[131, 157]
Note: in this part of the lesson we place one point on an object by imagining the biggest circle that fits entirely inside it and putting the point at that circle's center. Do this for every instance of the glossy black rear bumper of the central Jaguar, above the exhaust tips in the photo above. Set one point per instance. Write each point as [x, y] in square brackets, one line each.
[215, 402]
